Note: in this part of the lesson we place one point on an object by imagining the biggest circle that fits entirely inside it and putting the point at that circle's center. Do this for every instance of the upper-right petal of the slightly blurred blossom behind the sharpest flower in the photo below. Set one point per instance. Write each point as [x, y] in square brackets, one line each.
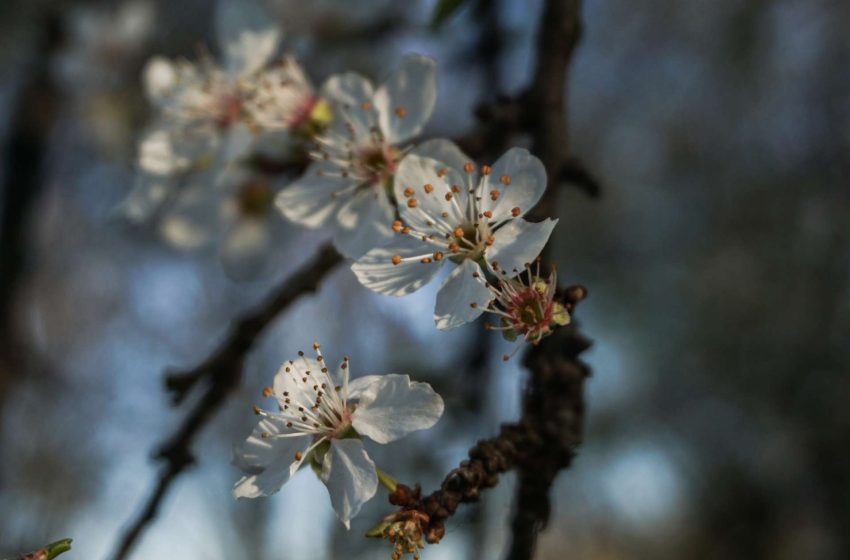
[406, 100]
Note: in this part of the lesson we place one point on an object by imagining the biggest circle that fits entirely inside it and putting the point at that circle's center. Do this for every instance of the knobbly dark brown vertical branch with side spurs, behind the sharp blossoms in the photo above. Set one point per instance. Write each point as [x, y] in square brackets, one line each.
[543, 442]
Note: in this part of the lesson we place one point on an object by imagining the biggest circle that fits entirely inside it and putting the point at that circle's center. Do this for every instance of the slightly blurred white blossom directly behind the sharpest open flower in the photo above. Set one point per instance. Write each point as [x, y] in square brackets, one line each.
[349, 185]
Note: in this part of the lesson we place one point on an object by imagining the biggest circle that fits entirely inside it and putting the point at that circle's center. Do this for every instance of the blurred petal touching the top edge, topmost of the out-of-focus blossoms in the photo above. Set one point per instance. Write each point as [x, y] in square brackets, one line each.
[247, 35]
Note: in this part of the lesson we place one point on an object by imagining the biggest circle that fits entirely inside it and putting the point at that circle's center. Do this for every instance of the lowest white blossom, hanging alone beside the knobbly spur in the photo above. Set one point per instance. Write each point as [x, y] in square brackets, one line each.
[320, 420]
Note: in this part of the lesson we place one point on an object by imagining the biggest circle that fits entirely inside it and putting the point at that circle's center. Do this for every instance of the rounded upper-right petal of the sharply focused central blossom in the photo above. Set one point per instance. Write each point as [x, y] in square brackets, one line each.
[527, 183]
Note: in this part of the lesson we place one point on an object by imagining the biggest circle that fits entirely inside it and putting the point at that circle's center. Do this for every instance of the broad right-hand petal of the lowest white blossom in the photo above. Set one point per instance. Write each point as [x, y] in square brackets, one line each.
[392, 406]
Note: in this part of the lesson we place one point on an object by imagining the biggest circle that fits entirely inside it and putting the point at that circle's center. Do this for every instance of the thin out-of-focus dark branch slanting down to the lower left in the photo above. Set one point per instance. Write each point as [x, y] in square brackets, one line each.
[220, 374]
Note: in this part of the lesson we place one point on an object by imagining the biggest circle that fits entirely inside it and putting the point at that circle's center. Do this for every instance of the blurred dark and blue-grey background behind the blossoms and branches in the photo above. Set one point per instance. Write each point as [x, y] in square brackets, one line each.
[717, 259]
